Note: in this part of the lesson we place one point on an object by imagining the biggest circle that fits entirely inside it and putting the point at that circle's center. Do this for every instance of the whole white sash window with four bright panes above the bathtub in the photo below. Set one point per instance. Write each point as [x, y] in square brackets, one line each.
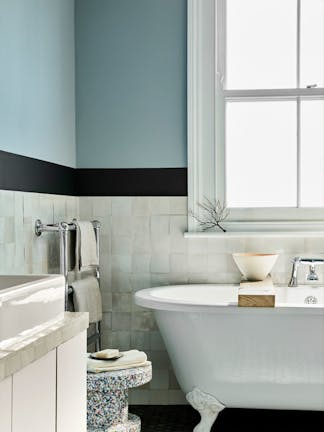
[271, 64]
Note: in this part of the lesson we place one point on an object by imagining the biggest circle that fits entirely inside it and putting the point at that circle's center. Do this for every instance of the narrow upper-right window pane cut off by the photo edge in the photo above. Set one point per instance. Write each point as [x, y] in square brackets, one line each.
[312, 43]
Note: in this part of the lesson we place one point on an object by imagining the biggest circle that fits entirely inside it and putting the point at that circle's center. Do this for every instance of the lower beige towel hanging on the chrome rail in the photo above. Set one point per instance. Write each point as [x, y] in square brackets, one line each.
[87, 298]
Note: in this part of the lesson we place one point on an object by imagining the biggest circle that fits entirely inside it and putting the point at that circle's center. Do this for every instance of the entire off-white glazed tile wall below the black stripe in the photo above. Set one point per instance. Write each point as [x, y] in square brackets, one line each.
[142, 245]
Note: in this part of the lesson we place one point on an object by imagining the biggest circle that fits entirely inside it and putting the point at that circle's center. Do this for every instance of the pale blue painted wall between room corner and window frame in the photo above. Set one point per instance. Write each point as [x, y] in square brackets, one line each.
[131, 83]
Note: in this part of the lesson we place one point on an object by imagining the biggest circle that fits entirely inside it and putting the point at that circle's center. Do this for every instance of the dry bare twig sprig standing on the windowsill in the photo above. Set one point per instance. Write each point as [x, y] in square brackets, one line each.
[214, 211]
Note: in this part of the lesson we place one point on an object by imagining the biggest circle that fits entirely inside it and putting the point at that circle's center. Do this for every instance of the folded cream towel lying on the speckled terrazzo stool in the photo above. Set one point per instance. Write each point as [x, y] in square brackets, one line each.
[130, 359]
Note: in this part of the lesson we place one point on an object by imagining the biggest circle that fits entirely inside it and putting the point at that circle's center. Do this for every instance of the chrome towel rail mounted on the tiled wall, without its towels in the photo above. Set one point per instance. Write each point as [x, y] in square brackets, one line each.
[63, 228]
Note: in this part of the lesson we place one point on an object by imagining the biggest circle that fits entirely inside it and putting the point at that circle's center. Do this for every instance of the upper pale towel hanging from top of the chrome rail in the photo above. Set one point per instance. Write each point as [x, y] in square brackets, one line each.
[86, 246]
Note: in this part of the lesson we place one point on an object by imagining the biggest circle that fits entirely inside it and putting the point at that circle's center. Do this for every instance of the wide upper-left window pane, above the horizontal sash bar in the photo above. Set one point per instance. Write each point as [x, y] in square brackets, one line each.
[261, 44]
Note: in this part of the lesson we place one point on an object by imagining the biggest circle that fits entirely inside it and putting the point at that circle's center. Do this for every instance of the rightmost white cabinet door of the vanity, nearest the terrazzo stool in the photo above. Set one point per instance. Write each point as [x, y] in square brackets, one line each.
[72, 385]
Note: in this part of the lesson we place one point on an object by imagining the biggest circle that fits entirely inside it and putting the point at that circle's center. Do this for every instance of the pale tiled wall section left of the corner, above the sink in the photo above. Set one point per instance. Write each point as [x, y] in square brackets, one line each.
[20, 250]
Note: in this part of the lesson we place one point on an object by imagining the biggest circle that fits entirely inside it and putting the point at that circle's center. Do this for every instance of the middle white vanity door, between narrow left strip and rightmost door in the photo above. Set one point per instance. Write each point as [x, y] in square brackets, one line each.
[34, 396]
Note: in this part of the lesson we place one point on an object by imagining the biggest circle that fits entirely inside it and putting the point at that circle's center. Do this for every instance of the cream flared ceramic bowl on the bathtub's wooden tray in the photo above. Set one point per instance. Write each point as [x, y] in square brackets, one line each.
[255, 266]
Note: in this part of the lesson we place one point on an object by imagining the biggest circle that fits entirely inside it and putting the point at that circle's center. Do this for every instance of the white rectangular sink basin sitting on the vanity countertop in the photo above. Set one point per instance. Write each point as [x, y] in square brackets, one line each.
[29, 301]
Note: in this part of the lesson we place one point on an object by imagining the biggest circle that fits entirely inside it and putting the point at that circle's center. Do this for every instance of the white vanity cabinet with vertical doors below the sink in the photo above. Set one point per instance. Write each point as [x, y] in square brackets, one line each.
[48, 394]
